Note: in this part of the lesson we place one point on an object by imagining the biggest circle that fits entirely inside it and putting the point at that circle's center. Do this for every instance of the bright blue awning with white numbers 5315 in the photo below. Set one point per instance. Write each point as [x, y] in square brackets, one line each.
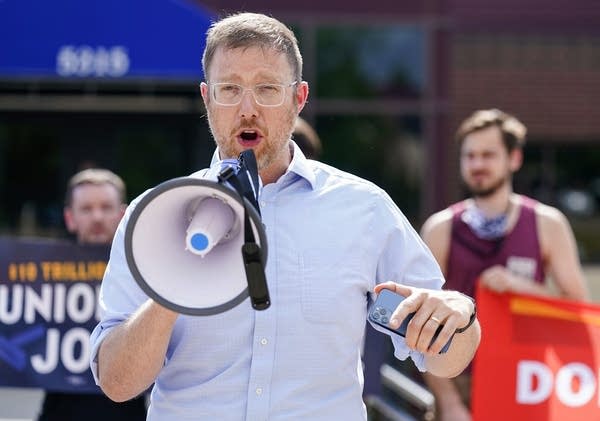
[157, 39]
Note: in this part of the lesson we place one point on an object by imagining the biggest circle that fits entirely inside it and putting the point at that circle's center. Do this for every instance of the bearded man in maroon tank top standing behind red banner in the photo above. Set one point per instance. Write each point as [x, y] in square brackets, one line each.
[497, 238]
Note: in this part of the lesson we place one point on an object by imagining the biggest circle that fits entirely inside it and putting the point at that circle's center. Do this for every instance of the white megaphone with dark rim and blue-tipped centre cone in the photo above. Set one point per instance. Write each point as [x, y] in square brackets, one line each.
[198, 246]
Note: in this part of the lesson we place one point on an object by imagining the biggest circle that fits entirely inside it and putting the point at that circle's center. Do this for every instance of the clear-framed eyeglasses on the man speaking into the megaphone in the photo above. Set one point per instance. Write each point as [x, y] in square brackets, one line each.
[265, 94]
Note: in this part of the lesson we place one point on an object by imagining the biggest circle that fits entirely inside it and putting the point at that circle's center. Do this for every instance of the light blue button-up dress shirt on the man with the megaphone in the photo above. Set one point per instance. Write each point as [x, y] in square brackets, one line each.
[331, 237]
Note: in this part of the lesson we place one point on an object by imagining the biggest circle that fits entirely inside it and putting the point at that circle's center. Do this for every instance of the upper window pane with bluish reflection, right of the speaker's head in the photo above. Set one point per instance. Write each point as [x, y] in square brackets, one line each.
[363, 62]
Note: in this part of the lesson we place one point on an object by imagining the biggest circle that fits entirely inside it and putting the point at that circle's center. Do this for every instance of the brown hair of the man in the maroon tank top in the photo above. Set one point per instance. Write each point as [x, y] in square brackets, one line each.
[513, 131]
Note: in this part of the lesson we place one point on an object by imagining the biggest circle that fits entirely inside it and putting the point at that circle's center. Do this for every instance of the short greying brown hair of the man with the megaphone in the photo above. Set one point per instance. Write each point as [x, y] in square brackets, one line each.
[244, 30]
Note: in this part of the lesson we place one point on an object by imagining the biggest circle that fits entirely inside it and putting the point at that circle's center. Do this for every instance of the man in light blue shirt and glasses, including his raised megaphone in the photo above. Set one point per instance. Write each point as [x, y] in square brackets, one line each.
[184, 322]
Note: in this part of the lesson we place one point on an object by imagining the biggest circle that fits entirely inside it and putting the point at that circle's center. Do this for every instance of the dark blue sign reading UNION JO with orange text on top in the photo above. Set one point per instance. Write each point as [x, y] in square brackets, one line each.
[48, 308]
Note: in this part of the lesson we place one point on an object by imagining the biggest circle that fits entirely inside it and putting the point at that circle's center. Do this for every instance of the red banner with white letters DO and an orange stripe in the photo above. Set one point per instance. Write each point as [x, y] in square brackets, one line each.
[539, 359]
